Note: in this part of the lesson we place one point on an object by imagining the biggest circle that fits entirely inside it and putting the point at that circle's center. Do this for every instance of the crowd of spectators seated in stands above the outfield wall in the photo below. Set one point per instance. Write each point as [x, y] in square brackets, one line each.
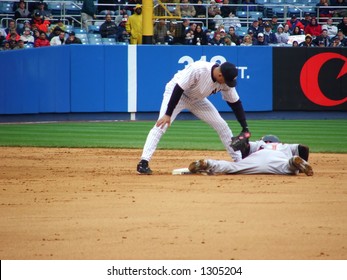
[325, 28]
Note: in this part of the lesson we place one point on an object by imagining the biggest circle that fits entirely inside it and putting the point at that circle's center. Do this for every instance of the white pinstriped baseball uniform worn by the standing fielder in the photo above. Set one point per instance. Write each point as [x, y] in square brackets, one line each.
[197, 83]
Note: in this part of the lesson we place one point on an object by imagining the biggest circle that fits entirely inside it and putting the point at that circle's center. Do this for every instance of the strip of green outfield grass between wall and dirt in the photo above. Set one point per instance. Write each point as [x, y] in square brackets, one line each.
[320, 135]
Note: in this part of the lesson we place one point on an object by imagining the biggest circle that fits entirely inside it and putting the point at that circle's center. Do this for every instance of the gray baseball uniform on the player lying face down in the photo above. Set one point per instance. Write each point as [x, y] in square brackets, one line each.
[268, 158]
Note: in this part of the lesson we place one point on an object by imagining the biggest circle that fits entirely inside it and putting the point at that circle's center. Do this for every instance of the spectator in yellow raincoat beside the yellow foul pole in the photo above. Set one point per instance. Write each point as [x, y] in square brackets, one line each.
[134, 26]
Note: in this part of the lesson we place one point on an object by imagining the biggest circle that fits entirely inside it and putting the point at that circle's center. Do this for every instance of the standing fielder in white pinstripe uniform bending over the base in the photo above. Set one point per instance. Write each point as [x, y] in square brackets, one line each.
[189, 89]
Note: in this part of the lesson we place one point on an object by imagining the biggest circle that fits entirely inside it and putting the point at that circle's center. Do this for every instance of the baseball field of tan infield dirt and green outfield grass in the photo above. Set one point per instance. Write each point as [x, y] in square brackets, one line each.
[70, 191]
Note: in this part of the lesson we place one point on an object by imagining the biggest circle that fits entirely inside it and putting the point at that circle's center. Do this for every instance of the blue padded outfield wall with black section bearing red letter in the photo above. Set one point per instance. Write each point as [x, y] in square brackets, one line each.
[128, 78]
